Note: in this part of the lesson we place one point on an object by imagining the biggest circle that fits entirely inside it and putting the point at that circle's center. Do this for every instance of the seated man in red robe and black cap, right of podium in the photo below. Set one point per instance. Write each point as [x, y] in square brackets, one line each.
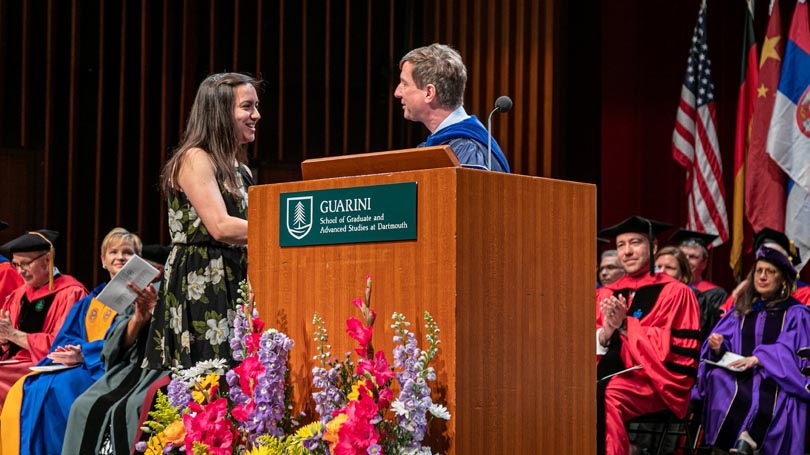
[647, 332]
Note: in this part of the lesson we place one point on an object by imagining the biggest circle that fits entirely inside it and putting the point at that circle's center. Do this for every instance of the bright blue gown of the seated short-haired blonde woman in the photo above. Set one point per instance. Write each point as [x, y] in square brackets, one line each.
[47, 396]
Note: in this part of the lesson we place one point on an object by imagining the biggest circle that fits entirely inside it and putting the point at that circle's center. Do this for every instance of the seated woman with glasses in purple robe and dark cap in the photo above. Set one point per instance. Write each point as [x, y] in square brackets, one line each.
[758, 400]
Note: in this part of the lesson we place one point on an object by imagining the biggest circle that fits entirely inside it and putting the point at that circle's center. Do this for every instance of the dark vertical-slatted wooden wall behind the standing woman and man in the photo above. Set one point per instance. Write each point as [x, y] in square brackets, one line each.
[103, 89]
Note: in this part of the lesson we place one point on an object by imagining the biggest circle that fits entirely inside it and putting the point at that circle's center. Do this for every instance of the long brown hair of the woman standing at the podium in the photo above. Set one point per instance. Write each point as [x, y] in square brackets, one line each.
[212, 128]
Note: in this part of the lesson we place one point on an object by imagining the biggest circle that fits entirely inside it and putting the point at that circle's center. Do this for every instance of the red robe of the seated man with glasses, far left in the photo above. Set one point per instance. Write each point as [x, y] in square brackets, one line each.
[66, 291]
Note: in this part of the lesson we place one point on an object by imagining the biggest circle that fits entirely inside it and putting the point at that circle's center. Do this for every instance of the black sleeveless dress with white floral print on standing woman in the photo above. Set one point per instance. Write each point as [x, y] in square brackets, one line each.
[192, 318]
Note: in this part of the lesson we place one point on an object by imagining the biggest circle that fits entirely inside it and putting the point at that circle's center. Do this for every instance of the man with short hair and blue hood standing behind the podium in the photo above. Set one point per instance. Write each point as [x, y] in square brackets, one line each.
[431, 89]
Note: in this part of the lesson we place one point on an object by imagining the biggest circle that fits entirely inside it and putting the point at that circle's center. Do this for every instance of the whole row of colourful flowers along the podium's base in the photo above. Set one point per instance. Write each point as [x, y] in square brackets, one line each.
[364, 406]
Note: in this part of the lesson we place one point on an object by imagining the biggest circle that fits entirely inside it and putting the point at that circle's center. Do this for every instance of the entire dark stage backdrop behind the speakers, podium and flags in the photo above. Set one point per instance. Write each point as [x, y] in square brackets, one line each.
[94, 94]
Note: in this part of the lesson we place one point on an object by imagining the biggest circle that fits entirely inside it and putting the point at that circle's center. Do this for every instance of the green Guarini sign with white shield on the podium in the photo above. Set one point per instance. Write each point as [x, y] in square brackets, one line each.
[376, 213]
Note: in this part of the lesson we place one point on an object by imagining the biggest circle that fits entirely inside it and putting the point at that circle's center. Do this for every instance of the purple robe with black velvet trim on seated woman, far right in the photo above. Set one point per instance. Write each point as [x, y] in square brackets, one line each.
[770, 400]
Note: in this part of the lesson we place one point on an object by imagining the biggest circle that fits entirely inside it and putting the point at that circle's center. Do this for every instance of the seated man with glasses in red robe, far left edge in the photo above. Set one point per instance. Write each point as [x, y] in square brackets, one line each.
[34, 312]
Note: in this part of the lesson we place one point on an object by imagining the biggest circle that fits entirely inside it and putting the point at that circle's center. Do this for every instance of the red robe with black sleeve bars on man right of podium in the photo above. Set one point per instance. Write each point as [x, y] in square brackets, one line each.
[662, 336]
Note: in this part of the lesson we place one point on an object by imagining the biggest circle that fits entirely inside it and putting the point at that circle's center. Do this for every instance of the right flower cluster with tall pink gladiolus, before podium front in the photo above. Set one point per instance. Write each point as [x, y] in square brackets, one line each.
[356, 400]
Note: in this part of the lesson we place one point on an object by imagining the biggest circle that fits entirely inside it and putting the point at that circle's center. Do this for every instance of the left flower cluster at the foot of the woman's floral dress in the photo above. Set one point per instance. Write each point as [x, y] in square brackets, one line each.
[199, 417]
